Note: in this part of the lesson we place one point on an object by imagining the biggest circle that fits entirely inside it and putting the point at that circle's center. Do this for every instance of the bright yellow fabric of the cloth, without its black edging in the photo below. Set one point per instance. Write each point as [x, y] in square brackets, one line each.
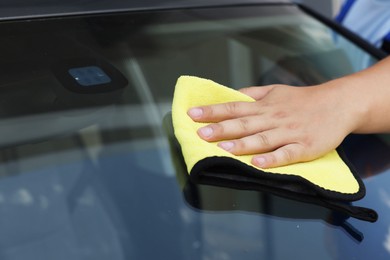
[329, 172]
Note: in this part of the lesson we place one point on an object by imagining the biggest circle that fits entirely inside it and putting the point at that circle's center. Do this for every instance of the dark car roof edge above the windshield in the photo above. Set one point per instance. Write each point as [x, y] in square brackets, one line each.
[22, 9]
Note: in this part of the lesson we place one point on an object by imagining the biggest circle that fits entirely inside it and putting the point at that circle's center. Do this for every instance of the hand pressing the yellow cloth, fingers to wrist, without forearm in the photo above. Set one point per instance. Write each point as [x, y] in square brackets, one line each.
[284, 125]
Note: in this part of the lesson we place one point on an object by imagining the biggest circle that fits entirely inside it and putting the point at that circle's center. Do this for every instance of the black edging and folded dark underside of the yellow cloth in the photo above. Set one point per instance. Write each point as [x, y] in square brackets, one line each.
[227, 172]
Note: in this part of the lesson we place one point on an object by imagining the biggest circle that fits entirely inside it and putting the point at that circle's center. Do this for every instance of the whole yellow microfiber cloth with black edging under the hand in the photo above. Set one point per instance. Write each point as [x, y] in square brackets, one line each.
[329, 181]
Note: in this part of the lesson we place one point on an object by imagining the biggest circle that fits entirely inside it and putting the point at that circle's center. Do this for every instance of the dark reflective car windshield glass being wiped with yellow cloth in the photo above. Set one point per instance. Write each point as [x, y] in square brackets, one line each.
[92, 175]
